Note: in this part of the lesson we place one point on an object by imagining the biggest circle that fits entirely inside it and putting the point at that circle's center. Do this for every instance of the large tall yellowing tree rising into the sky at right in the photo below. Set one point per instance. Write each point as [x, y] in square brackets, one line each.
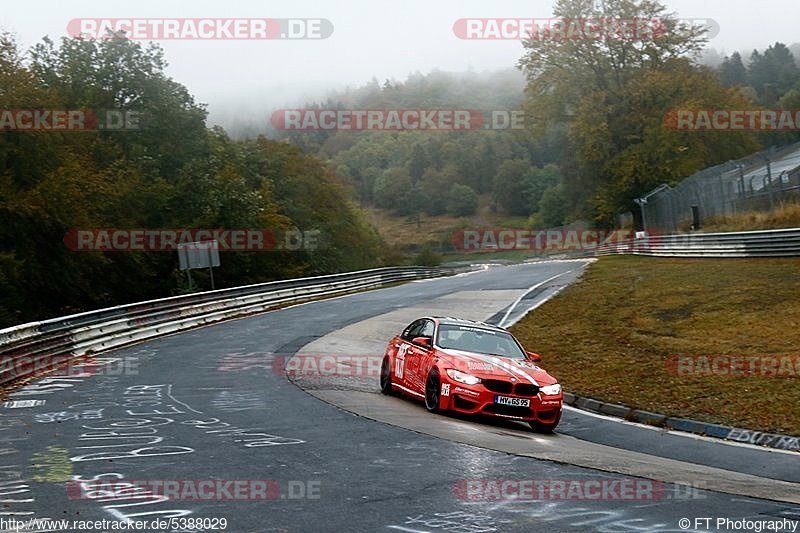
[613, 95]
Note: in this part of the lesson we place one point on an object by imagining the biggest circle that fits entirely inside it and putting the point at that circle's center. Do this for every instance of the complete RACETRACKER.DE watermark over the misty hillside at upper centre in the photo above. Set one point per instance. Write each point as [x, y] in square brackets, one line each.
[396, 119]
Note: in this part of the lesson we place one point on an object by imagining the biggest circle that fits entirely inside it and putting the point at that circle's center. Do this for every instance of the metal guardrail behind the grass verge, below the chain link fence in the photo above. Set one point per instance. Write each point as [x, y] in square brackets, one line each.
[766, 243]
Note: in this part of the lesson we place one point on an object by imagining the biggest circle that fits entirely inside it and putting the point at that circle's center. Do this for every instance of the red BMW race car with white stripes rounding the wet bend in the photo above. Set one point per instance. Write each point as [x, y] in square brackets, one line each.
[471, 368]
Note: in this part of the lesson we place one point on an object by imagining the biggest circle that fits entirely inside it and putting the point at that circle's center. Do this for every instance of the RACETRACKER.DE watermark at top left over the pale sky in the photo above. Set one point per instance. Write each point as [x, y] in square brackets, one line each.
[159, 29]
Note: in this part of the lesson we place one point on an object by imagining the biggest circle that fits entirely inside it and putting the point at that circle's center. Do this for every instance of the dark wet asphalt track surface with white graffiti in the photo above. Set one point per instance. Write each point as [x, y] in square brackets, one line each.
[214, 405]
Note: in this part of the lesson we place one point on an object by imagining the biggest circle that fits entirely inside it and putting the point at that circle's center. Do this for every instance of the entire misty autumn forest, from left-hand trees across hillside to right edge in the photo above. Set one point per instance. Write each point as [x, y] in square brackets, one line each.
[594, 140]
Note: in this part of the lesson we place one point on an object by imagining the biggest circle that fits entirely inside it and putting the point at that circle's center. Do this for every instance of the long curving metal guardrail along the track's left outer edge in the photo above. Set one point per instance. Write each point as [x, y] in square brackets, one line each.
[37, 346]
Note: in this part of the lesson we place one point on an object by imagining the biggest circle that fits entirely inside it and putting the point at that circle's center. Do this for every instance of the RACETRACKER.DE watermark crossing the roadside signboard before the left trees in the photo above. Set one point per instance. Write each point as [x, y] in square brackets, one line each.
[165, 240]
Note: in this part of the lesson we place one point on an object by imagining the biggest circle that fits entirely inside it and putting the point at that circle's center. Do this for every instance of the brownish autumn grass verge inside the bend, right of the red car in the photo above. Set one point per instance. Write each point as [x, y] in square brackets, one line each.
[610, 336]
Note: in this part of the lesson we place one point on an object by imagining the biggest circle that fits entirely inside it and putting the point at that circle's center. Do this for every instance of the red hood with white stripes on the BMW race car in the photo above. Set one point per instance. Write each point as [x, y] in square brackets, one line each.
[497, 367]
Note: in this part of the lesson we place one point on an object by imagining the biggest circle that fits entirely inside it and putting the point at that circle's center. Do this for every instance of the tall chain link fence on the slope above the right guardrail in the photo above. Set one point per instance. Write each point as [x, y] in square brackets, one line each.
[759, 182]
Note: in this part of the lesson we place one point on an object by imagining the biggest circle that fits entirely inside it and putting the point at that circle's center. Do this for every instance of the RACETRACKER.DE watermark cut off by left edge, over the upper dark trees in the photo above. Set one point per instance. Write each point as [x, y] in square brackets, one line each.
[59, 120]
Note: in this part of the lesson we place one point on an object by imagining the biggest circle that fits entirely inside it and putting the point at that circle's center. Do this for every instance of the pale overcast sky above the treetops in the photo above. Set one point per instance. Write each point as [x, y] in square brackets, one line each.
[385, 39]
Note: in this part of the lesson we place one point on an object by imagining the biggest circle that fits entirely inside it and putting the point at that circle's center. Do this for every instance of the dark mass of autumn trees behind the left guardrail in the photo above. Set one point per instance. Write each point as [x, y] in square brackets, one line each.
[173, 173]
